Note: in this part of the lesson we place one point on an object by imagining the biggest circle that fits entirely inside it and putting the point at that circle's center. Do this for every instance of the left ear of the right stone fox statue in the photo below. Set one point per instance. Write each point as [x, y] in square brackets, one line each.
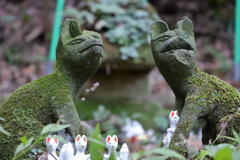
[157, 28]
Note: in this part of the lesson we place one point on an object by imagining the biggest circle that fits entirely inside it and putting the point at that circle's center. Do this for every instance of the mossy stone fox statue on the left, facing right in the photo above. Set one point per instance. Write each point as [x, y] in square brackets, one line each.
[43, 101]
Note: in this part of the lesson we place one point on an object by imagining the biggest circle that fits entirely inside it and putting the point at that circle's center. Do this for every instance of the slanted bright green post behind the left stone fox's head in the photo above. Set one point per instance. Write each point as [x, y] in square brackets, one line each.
[55, 35]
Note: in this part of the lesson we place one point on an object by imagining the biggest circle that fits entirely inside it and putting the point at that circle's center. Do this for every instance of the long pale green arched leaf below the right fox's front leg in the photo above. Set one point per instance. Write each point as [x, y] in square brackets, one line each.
[166, 152]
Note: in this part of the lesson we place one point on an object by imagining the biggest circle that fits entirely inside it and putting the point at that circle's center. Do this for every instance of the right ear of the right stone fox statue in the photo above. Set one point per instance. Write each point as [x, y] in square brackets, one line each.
[186, 25]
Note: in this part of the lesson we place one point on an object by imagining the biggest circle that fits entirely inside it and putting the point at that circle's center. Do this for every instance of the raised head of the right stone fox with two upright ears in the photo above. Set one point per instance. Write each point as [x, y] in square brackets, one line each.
[173, 50]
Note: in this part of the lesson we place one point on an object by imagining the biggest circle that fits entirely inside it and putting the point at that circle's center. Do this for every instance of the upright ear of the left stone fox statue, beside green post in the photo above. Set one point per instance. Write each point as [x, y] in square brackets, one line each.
[70, 30]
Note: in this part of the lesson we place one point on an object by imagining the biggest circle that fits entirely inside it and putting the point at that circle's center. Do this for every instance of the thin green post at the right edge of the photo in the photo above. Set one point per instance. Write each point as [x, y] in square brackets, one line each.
[237, 43]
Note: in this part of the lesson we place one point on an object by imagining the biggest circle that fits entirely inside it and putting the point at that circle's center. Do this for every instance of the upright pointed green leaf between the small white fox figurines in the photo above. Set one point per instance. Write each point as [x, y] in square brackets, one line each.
[96, 149]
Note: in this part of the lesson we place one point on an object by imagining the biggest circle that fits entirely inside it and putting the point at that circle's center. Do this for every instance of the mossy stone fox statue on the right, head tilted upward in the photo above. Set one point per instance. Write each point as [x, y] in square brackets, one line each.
[198, 95]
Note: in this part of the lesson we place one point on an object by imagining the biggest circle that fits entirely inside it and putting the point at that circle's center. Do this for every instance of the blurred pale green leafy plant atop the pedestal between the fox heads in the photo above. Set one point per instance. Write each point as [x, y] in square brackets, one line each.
[123, 22]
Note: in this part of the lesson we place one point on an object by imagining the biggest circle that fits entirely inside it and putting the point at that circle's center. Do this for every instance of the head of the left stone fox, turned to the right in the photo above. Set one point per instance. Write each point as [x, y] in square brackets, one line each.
[78, 51]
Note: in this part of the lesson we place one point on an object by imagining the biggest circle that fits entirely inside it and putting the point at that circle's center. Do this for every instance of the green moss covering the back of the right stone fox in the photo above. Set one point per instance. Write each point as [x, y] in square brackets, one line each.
[223, 99]
